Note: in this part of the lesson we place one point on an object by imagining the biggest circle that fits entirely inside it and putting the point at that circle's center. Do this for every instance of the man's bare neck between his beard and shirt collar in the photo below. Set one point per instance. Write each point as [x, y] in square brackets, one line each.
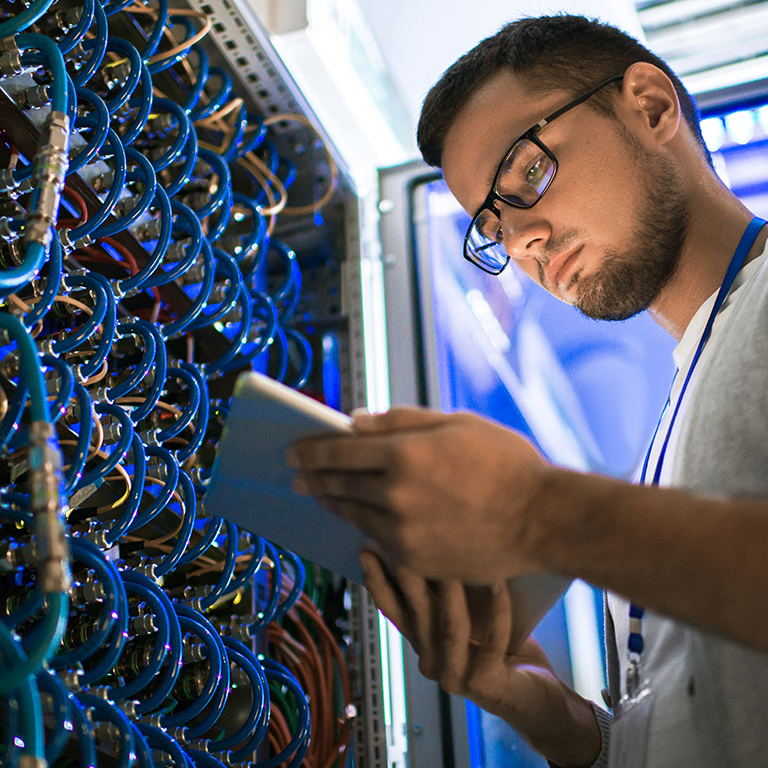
[715, 228]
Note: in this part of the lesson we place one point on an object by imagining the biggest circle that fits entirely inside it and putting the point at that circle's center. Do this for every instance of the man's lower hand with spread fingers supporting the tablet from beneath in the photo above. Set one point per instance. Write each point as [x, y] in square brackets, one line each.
[522, 689]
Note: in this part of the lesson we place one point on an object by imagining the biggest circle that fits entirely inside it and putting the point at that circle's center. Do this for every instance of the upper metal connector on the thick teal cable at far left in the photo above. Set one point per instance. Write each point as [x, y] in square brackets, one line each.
[51, 163]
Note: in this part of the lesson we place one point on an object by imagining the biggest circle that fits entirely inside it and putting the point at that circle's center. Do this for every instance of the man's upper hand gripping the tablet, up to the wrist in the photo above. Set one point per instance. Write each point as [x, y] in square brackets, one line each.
[451, 495]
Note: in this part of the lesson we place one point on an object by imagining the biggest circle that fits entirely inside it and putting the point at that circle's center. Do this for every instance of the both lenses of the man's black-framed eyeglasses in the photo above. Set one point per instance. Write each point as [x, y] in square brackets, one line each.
[523, 177]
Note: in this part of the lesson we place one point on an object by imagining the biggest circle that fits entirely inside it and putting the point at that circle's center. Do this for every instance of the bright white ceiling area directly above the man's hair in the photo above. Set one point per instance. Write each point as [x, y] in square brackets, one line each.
[420, 39]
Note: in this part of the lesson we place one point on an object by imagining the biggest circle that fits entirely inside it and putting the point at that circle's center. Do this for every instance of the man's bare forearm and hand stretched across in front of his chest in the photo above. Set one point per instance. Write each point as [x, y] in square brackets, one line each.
[456, 496]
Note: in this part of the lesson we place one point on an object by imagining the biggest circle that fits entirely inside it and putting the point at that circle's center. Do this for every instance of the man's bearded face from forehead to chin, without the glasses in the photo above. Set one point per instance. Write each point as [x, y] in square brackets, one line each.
[606, 236]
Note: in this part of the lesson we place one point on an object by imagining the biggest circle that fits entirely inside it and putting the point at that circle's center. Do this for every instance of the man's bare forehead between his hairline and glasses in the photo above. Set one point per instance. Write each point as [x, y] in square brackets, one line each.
[495, 115]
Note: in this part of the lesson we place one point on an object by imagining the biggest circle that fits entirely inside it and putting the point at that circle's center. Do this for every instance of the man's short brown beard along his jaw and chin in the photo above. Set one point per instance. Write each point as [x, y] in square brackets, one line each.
[629, 281]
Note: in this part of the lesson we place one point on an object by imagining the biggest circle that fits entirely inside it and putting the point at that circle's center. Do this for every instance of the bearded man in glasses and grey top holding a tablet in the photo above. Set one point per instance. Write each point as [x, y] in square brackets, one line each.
[609, 202]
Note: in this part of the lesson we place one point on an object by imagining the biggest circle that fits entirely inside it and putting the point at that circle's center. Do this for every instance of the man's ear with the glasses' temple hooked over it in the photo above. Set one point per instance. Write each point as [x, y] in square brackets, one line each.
[652, 101]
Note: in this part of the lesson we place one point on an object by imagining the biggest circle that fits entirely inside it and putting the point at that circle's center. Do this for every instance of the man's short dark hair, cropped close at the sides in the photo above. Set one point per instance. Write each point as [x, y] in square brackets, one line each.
[547, 52]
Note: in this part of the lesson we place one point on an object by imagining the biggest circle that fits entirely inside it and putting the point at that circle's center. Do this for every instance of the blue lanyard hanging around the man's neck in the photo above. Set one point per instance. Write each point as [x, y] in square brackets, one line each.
[635, 643]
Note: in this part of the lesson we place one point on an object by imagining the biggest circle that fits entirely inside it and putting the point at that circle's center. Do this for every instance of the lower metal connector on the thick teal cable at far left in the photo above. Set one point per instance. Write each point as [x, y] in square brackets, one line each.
[47, 507]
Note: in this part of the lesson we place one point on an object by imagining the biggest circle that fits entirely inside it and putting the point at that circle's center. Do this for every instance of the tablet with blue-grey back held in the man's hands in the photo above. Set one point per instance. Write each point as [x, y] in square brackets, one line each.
[251, 486]
